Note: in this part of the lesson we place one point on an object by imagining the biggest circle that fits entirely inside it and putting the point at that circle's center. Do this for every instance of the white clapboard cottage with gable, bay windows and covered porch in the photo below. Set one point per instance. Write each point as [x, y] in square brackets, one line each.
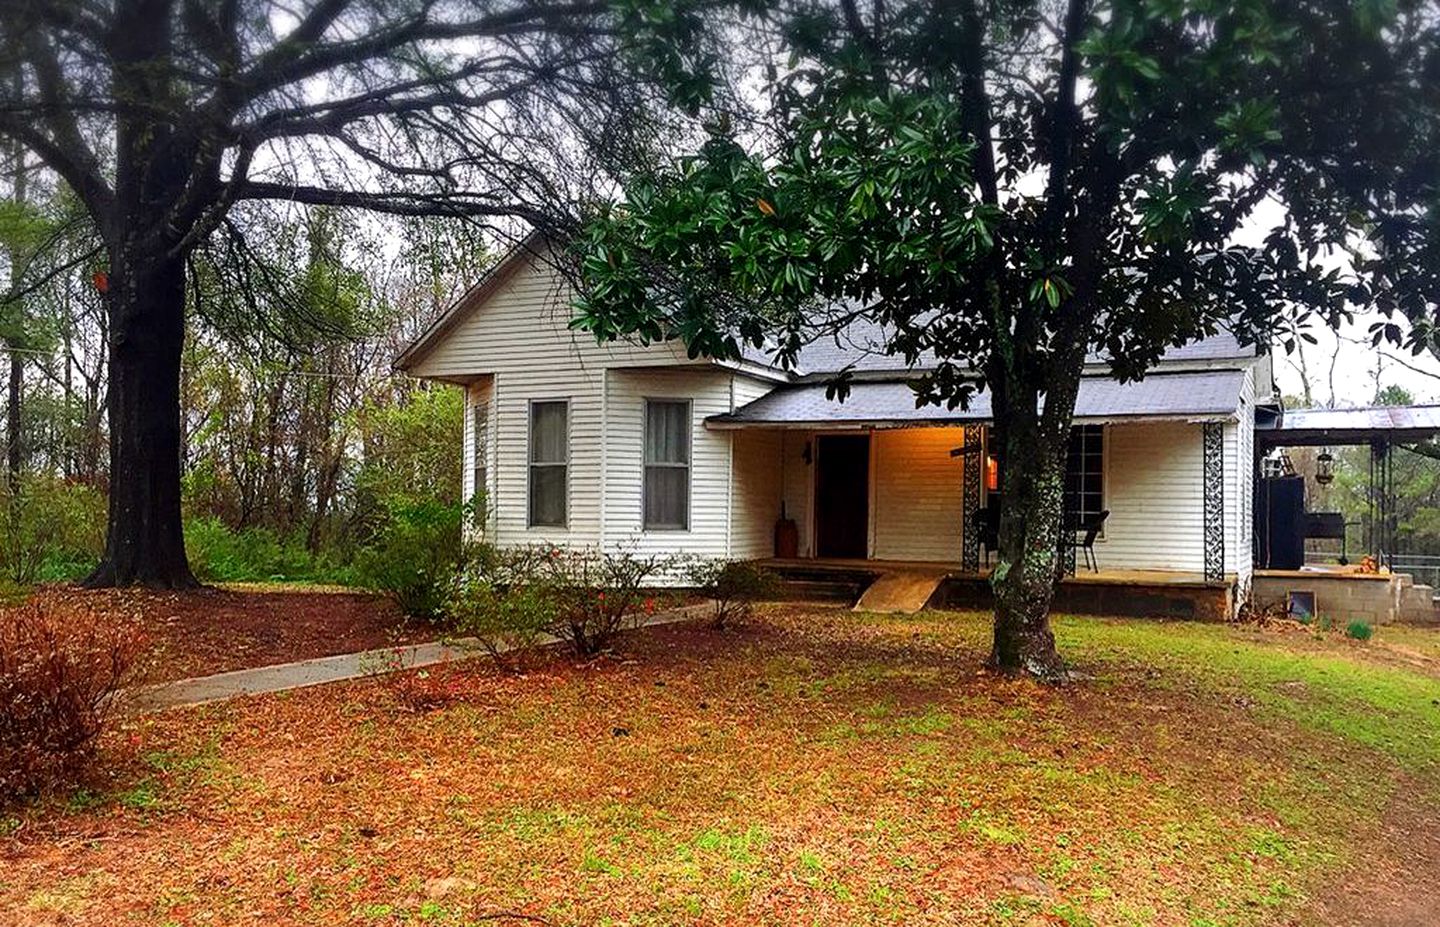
[627, 446]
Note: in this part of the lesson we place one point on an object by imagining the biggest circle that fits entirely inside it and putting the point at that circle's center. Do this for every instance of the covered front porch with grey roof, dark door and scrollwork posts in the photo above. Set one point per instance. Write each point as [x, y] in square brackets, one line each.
[1161, 467]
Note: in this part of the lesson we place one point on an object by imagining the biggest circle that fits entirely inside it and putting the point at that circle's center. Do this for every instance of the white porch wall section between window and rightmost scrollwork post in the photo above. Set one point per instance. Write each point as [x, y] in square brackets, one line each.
[1156, 493]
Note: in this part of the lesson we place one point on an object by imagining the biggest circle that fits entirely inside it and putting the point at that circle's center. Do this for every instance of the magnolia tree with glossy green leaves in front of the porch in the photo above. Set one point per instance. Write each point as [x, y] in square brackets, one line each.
[1014, 186]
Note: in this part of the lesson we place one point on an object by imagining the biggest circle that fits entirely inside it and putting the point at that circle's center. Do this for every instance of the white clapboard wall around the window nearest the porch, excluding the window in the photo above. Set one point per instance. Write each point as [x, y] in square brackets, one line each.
[708, 389]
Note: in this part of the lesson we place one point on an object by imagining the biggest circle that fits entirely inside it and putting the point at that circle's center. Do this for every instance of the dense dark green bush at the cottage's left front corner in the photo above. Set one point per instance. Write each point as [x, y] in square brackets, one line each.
[415, 556]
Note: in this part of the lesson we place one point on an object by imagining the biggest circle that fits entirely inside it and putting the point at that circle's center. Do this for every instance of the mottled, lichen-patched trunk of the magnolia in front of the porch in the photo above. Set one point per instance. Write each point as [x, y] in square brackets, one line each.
[1025, 581]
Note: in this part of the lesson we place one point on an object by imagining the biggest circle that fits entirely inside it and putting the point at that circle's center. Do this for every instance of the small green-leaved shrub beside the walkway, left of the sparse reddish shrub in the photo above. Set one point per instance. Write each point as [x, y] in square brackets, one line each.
[505, 601]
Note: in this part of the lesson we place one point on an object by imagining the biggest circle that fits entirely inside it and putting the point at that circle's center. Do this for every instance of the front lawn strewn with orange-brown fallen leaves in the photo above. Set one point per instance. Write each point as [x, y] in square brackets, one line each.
[811, 768]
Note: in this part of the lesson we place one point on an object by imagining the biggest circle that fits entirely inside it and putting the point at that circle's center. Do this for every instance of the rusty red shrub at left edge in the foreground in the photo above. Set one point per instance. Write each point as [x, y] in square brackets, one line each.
[60, 671]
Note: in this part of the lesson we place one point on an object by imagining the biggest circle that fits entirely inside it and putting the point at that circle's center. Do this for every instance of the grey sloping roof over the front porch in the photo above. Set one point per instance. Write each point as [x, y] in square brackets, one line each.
[1212, 395]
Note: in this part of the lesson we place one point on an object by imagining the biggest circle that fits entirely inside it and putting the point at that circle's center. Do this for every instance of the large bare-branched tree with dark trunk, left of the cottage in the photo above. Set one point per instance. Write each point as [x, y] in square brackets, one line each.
[166, 117]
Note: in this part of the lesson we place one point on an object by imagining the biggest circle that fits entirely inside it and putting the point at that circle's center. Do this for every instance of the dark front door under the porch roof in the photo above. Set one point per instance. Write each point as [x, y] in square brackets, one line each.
[843, 496]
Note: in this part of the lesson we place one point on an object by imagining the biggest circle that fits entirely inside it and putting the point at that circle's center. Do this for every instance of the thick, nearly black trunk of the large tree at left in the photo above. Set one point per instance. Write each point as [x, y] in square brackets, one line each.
[145, 542]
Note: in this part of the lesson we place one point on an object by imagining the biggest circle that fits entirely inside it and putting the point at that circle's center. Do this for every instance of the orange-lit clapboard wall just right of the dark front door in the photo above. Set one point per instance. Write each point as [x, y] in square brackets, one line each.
[918, 486]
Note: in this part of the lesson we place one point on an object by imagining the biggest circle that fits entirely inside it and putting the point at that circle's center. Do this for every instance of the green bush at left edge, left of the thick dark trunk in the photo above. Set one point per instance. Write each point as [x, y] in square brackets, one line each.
[53, 530]
